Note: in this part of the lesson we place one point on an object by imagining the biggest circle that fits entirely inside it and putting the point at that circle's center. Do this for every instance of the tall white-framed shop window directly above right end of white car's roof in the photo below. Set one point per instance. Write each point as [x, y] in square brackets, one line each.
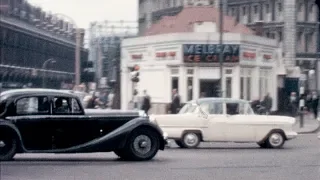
[245, 83]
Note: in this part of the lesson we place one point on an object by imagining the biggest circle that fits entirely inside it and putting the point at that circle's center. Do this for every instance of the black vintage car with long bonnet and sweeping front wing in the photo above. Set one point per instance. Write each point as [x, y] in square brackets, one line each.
[51, 121]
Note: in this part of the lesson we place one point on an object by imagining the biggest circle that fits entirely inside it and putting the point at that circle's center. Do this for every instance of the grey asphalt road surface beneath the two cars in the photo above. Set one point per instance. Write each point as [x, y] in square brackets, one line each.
[298, 160]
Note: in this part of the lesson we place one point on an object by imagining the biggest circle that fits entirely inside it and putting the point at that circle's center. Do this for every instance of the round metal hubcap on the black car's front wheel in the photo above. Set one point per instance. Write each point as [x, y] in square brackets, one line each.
[142, 144]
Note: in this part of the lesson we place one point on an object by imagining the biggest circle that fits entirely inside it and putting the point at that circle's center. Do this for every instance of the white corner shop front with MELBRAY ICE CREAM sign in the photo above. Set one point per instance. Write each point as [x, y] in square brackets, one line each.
[190, 63]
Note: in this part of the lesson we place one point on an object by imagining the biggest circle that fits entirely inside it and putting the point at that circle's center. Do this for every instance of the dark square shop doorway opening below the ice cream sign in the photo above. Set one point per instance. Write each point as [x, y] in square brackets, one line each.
[209, 88]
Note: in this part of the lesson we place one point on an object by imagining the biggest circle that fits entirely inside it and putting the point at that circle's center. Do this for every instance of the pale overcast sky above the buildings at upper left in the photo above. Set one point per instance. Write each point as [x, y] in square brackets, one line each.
[85, 11]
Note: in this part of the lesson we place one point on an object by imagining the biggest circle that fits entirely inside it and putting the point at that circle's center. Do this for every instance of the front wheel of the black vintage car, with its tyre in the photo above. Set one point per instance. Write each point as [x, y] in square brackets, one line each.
[143, 144]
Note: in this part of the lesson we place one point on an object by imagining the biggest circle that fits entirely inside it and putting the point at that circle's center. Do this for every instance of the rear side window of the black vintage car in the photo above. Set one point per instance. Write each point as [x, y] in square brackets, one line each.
[33, 106]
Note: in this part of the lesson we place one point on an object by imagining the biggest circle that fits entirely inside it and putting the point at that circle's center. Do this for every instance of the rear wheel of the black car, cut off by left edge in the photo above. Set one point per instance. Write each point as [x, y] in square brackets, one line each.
[8, 147]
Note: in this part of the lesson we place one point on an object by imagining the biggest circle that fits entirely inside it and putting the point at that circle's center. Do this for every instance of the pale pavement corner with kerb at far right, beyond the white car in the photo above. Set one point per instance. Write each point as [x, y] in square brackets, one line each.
[311, 125]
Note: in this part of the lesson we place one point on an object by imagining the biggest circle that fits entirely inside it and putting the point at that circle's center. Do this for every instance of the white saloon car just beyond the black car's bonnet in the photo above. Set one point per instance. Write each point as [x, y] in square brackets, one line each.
[224, 120]
